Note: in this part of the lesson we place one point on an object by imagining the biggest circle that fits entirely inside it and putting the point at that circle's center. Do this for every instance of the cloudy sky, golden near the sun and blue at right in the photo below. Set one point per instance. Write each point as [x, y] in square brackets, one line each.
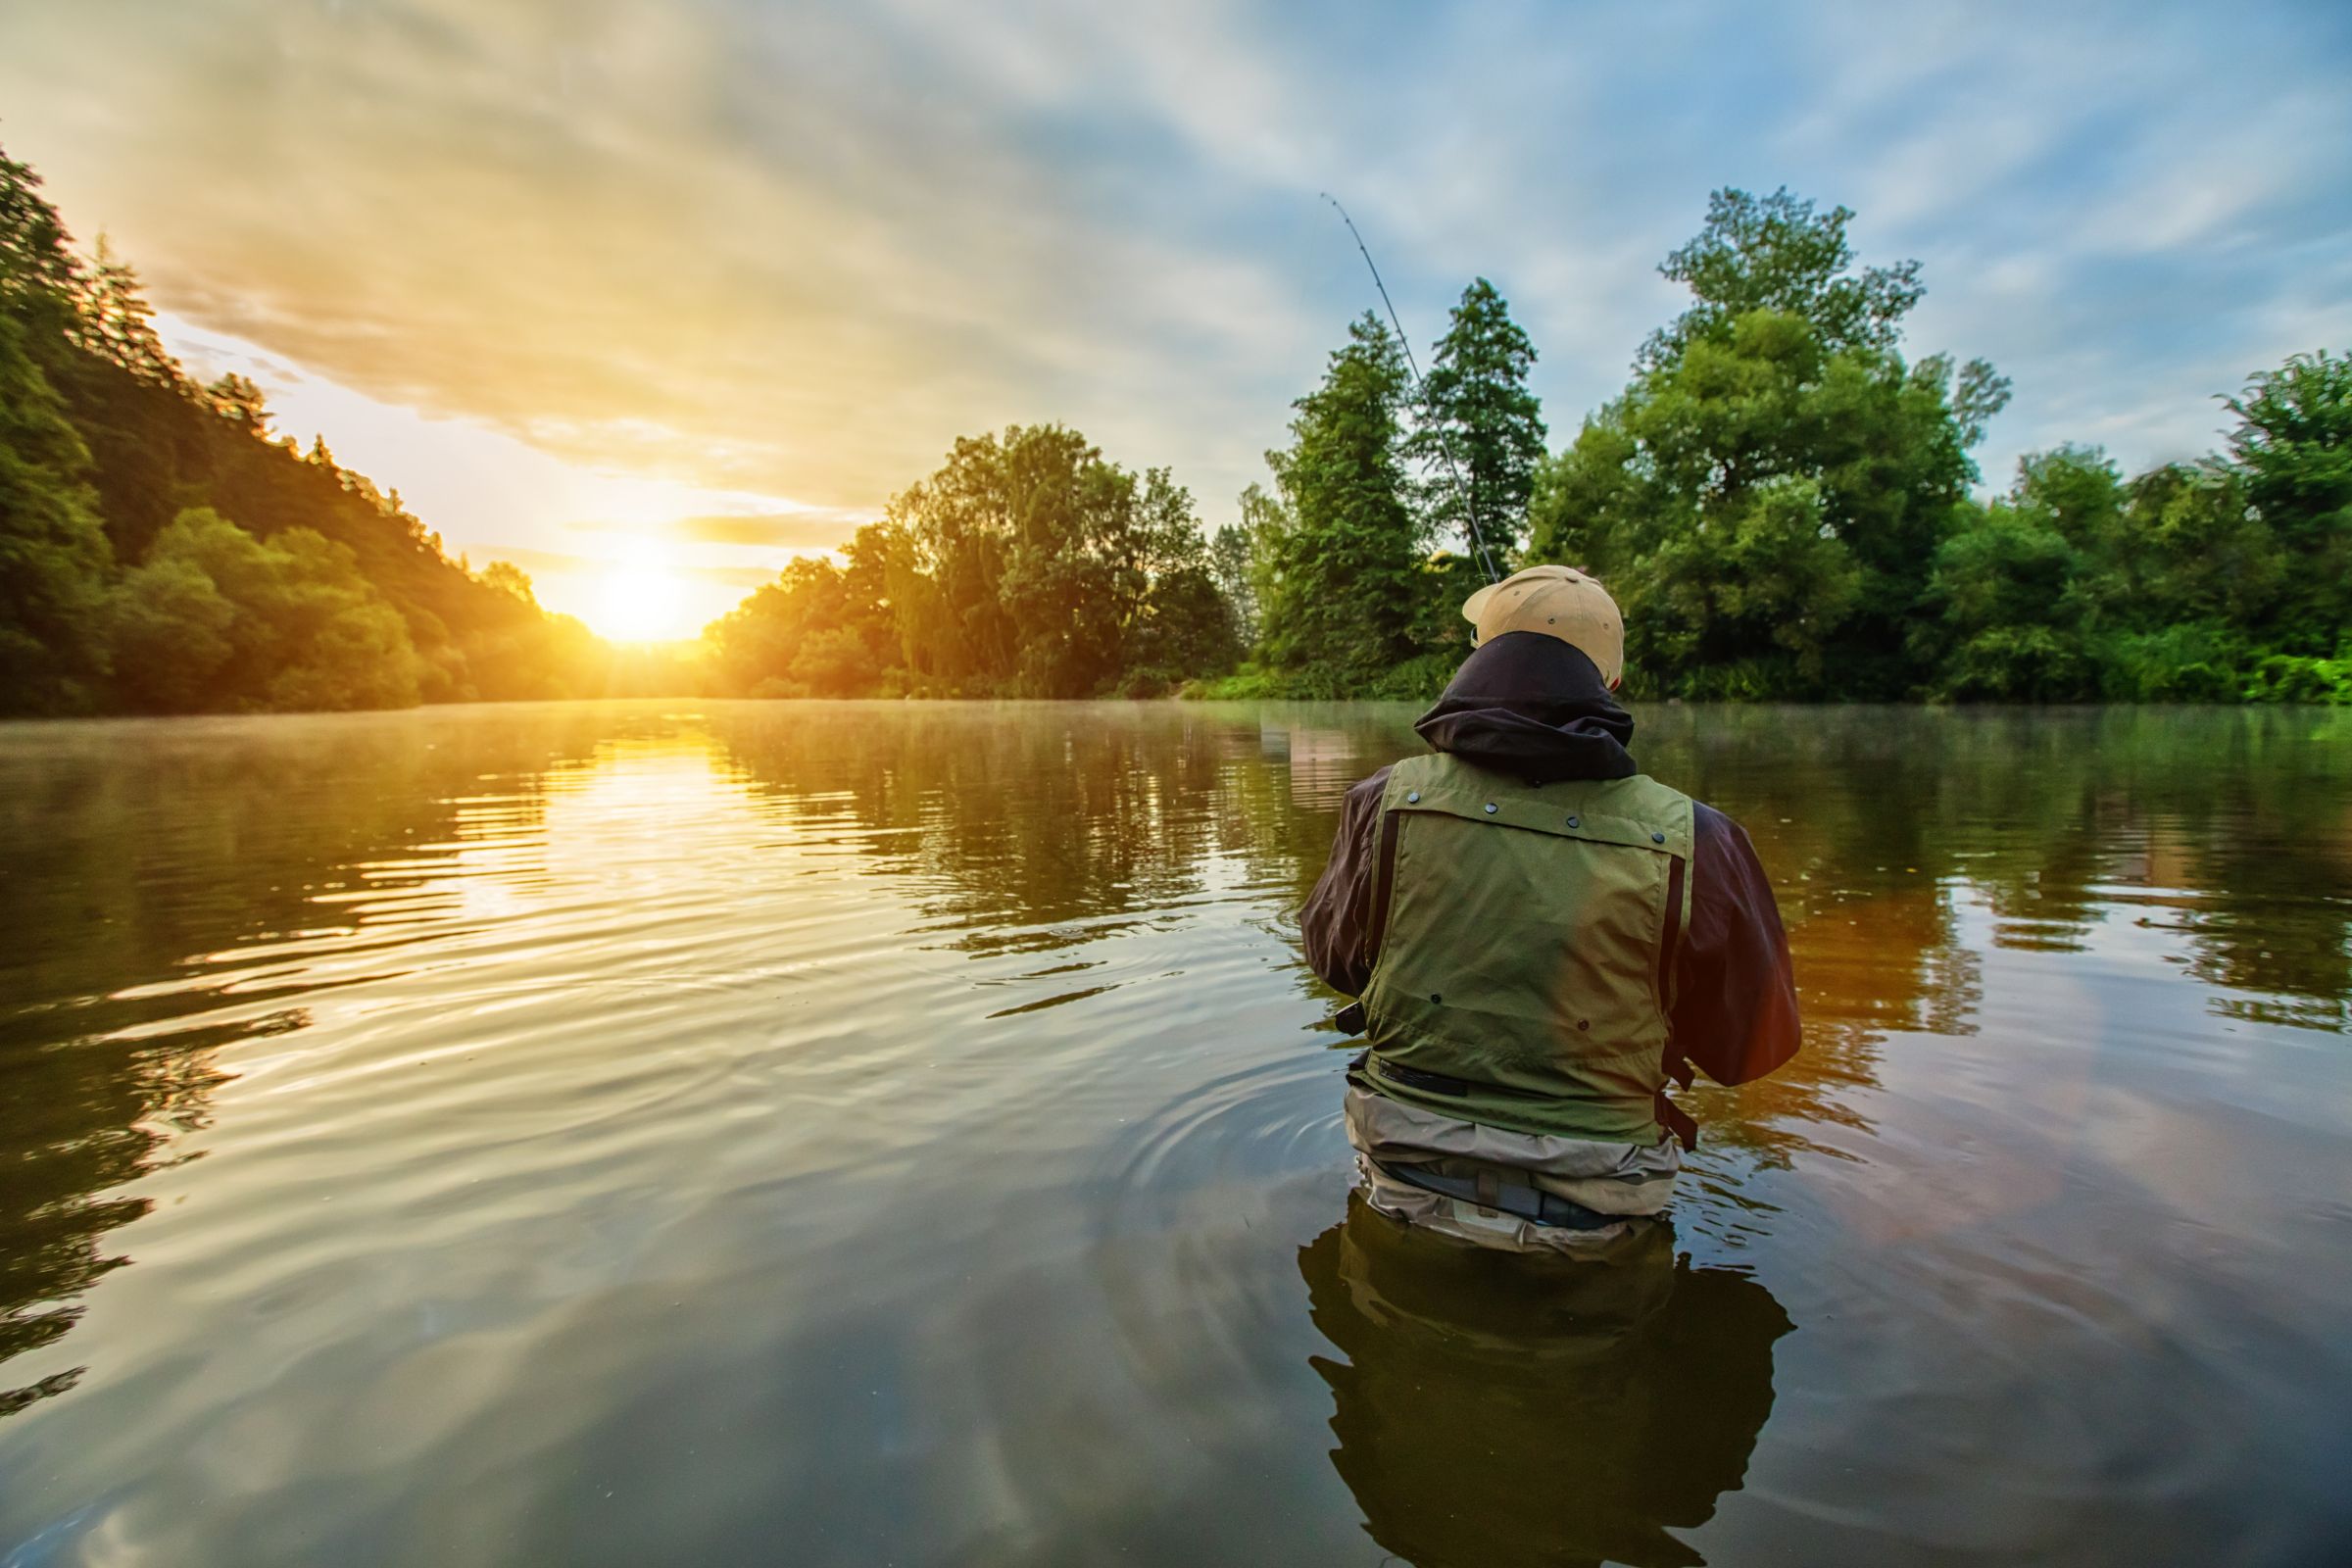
[653, 295]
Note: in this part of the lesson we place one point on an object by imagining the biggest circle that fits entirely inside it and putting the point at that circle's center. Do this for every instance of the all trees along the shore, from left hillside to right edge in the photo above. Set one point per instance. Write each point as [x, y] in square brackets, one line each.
[1782, 502]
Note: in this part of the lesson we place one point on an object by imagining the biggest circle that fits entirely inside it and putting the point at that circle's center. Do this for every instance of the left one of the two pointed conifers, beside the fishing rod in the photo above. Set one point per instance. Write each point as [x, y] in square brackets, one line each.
[1344, 575]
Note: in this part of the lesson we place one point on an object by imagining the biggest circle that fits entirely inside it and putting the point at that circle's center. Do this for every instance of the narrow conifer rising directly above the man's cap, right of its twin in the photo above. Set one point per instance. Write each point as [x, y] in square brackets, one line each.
[1478, 429]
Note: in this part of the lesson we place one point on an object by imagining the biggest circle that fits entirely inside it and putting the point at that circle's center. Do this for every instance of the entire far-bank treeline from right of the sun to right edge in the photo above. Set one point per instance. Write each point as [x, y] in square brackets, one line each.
[1779, 500]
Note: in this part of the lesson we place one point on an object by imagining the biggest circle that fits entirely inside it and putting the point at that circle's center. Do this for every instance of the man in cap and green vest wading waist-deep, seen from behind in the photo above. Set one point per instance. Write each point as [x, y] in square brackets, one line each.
[1542, 937]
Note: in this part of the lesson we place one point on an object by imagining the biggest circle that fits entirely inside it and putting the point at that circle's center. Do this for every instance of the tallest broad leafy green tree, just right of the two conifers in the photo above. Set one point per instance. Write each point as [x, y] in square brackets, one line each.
[1770, 492]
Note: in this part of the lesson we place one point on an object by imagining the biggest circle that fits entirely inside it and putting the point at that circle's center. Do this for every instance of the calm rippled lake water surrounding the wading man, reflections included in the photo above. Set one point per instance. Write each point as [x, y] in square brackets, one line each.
[902, 1134]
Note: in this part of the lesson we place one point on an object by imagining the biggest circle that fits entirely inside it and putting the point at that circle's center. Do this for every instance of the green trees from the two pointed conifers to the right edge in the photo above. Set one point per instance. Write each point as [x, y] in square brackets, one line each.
[1782, 504]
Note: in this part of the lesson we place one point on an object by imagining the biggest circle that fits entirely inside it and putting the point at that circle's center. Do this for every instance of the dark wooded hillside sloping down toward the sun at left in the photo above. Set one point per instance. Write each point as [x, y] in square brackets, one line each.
[161, 554]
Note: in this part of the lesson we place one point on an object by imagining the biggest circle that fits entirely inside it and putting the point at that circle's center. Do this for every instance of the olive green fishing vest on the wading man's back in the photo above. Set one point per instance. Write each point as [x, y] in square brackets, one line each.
[1523, 949]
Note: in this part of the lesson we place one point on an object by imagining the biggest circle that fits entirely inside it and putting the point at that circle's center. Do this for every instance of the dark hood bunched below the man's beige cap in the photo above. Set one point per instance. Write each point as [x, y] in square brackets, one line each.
[1532, 706]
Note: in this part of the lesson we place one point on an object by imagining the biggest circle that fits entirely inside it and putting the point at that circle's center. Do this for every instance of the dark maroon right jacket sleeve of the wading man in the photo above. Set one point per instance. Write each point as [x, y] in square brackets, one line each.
[1735, 989]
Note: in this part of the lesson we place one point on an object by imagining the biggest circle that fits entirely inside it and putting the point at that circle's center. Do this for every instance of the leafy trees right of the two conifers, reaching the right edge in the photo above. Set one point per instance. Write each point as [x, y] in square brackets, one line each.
[1782, 504]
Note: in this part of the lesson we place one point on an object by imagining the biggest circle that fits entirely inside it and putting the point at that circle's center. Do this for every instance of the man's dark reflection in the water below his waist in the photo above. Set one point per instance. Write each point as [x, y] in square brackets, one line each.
[1511, 1409]
